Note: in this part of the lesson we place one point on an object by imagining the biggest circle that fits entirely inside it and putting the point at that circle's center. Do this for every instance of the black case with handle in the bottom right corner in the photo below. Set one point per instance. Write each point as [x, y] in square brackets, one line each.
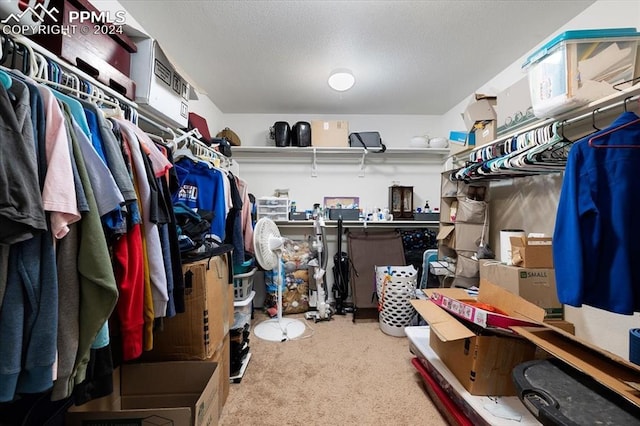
[557, 394]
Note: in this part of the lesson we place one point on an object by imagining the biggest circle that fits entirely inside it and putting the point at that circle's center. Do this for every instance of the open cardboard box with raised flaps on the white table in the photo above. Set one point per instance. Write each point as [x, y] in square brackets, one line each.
[482, 362]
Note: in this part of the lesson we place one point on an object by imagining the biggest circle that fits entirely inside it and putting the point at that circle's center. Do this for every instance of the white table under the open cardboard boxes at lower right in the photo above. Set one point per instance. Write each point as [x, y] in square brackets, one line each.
[480, 410]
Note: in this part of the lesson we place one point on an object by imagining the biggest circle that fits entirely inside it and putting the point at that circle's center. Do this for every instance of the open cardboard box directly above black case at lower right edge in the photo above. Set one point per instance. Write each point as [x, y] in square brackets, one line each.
[616, 373]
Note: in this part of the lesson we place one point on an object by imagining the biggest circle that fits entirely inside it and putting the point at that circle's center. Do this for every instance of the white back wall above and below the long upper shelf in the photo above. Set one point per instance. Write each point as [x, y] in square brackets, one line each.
[338, 178]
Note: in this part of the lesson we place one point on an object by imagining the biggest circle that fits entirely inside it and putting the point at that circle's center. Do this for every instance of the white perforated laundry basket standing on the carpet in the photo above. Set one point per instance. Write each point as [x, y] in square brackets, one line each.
[396, 286]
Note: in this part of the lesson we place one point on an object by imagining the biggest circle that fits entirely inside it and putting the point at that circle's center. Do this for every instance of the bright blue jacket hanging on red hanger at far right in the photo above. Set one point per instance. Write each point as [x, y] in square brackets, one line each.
[596, 247]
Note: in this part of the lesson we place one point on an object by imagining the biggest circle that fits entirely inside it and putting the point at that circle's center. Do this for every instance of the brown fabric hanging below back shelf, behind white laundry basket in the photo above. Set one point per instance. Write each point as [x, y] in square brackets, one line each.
[368, 250]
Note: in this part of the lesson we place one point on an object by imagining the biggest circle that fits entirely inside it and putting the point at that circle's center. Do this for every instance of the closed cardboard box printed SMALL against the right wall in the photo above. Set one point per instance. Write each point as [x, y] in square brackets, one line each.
[537, 286]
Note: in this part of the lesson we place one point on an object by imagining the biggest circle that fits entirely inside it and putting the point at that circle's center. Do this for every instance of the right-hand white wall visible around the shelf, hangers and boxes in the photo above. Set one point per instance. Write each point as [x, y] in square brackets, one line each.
[530, 203]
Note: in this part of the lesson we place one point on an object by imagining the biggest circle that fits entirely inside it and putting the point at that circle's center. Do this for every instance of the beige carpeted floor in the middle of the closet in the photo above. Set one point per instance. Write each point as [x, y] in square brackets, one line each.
[343, 373]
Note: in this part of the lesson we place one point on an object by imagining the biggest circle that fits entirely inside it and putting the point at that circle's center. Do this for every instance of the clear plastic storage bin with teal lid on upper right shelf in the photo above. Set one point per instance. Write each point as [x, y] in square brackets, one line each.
[581, 66]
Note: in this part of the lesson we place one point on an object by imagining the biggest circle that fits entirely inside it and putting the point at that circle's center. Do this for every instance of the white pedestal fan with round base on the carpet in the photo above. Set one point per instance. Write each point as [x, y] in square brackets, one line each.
[267, 244]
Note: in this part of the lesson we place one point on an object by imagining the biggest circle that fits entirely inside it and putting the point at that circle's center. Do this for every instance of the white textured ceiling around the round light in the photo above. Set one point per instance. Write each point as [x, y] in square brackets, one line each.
[409, 57]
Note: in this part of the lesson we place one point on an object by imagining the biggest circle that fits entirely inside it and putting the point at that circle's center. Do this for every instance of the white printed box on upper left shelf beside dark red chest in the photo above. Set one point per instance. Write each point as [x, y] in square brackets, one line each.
[159, 88]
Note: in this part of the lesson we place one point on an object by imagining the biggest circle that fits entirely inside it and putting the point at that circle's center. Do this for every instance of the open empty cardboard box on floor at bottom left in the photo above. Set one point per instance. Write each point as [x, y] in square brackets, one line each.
[164, 393]
